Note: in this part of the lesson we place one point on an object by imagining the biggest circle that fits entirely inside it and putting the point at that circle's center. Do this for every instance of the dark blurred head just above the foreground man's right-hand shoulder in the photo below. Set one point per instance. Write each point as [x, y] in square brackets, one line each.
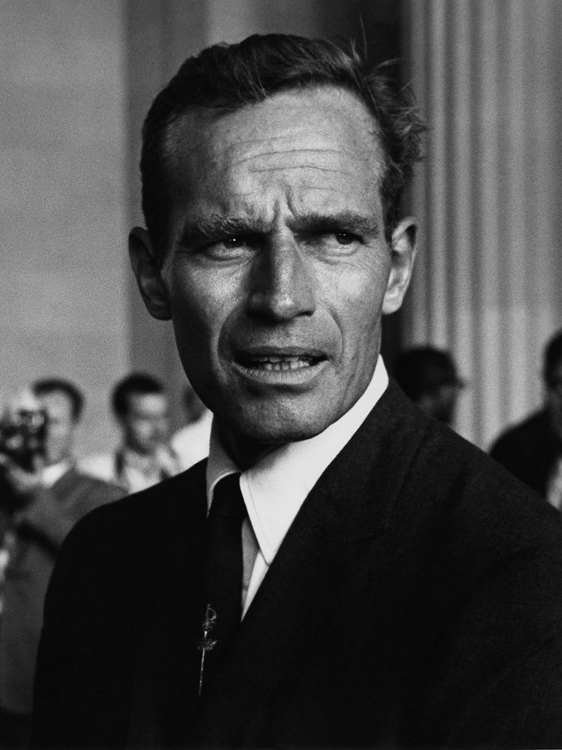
[429, 377]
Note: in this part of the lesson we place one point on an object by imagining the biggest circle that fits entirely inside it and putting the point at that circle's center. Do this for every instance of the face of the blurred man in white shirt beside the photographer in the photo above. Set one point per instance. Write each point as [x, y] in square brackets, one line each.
[145, 426]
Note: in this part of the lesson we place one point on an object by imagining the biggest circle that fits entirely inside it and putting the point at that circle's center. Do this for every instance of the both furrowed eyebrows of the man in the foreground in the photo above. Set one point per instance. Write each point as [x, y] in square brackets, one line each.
[209, 229]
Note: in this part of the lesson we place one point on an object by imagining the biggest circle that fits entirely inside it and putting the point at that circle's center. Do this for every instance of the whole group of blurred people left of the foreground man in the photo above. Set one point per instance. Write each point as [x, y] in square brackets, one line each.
[45, 489]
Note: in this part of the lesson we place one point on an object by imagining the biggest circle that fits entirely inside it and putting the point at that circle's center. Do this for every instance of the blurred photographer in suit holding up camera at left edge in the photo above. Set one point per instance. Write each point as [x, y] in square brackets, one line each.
[42, 496]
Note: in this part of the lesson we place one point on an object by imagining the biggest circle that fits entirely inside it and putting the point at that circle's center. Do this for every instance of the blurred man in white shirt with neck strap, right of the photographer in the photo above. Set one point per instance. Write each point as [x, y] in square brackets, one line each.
[144, 457]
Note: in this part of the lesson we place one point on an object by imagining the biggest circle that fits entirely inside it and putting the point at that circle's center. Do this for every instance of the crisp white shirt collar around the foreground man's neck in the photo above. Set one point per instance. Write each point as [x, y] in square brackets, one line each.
[276, 487]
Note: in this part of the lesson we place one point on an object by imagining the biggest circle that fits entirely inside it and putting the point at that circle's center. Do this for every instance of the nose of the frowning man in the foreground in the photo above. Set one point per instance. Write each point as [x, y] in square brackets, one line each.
[282, 283]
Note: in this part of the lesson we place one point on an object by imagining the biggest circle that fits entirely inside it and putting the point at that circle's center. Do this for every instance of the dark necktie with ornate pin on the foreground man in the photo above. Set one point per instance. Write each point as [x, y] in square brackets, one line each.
[223, 600]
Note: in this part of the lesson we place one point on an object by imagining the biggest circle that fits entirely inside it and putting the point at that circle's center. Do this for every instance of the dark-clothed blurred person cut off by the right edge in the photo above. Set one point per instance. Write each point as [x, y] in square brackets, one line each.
[532, 448]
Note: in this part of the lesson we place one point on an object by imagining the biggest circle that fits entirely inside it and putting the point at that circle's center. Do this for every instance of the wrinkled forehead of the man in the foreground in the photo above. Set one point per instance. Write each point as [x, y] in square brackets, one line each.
[285, 136]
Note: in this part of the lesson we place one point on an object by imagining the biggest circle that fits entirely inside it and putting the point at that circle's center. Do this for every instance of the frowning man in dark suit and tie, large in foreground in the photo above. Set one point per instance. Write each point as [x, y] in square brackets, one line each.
[363, 577]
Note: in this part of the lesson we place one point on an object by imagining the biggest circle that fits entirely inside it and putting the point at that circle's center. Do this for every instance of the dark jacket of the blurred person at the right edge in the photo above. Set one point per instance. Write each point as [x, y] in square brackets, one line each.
[529, 450]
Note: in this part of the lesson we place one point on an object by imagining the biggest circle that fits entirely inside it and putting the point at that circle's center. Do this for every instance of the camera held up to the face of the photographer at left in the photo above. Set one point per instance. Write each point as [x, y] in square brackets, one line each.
[23, 428]
